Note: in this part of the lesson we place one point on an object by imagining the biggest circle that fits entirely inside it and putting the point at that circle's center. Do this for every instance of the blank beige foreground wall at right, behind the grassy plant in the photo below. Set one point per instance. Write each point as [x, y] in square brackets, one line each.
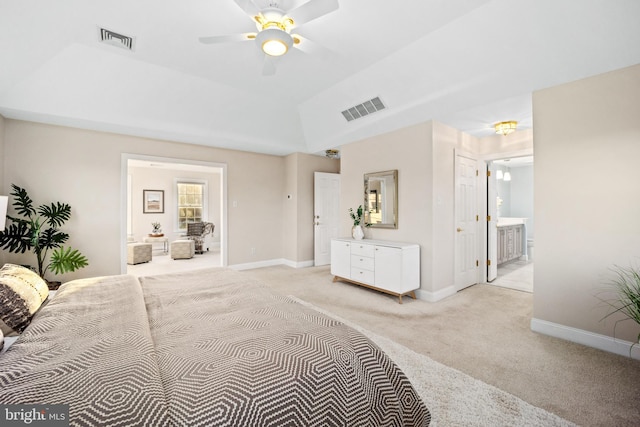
[587, 183]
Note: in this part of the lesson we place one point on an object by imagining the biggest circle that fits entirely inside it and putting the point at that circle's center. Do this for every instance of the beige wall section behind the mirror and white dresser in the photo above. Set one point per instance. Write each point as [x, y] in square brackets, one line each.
[410, 151]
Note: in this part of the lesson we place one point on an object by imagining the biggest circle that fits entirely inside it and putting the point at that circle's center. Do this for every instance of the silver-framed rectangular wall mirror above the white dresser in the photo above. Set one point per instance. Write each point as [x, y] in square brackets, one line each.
[381, 199]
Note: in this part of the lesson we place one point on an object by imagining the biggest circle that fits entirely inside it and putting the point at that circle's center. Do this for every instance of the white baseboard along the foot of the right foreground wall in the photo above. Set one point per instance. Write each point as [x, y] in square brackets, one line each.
[590, 339]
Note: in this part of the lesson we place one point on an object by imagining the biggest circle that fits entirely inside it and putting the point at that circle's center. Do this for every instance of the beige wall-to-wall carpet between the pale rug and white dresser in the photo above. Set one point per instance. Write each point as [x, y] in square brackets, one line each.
[483, 331]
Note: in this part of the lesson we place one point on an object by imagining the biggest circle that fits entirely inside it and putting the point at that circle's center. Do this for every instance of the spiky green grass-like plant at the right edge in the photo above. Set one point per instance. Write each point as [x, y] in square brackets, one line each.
[626, 285]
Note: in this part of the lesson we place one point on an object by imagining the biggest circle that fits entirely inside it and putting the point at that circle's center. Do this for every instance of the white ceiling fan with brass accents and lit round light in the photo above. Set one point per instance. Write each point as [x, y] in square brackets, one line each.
[275, 25]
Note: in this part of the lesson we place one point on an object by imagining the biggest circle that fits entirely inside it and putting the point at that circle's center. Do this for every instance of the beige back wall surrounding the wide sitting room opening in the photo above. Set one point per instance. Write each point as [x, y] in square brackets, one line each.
[83, 168]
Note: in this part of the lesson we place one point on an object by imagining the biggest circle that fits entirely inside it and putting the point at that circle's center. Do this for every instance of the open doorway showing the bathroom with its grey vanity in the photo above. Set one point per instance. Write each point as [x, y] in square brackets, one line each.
[511, 241]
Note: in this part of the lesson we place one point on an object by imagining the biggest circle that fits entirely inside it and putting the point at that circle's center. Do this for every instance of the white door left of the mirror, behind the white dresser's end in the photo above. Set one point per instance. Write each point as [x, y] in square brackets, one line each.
[326, 217]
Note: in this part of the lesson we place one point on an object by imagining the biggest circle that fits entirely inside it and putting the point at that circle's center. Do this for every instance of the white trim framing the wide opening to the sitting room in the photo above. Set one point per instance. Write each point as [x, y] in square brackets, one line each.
[124, 204]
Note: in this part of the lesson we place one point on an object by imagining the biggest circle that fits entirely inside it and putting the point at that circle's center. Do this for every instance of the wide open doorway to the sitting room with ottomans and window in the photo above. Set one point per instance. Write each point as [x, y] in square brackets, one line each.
[162, 177]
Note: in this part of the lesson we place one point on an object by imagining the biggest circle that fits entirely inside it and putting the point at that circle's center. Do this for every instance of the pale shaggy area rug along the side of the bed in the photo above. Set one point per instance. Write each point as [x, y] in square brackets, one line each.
[454, 398]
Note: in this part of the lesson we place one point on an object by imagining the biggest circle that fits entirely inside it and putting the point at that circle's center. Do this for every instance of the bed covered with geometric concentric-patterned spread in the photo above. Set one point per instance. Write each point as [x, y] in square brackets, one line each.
[203, 348]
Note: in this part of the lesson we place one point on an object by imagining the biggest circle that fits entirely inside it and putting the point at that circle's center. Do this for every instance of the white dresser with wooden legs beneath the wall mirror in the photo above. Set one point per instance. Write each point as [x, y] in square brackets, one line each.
[389, 267]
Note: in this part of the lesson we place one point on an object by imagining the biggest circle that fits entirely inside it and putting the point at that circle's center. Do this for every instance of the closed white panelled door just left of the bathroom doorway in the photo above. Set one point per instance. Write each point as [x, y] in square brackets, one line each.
[466, 211]
